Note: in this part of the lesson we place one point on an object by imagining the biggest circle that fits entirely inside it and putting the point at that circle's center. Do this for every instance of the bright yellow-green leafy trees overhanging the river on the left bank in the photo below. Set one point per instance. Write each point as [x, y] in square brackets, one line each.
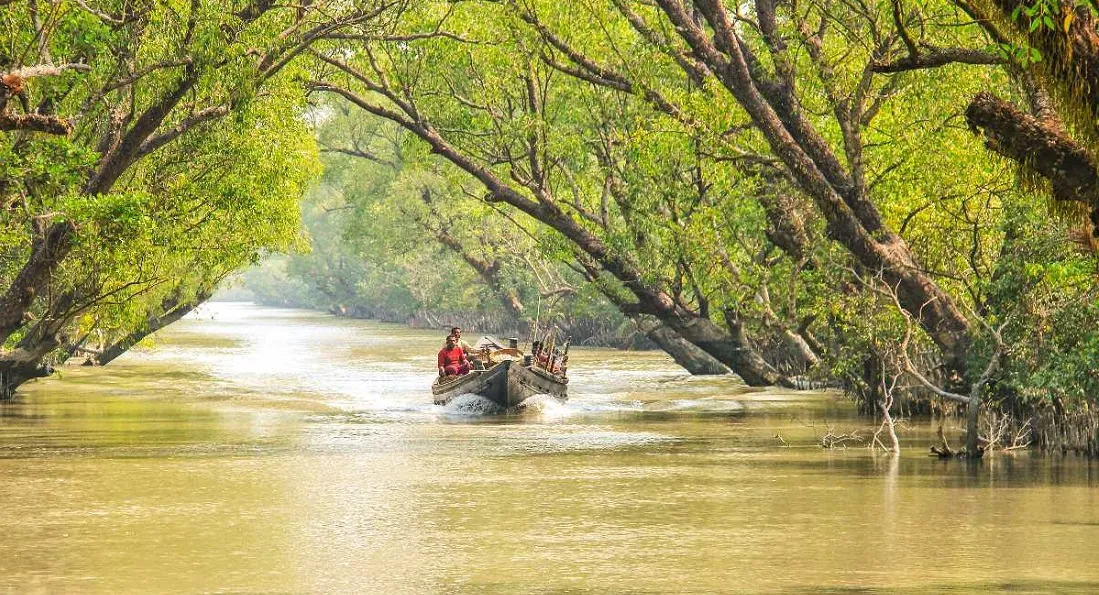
[147, 151]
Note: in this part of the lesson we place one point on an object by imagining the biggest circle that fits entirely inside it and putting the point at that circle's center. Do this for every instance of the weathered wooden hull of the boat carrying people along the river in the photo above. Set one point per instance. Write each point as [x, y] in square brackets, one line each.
[507, 383]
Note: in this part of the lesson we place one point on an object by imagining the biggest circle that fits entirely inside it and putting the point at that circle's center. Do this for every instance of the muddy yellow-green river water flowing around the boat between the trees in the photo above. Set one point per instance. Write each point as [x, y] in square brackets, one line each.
[254, 450]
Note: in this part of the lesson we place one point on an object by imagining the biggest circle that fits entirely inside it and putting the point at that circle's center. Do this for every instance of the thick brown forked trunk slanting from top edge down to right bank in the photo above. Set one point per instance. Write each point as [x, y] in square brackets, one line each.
[852, 219]
